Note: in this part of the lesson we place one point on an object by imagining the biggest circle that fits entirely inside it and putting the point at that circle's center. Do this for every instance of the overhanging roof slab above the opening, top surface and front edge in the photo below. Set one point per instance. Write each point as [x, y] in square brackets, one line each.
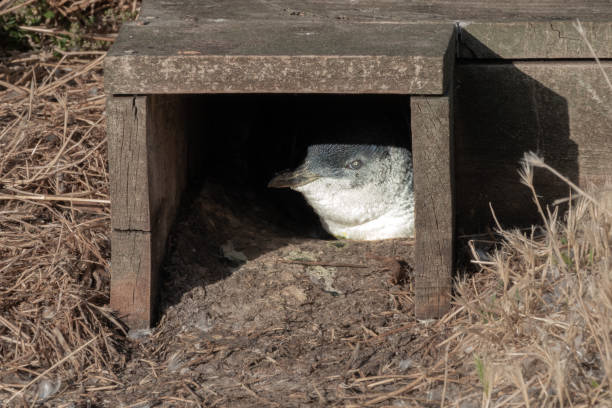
[259, 57]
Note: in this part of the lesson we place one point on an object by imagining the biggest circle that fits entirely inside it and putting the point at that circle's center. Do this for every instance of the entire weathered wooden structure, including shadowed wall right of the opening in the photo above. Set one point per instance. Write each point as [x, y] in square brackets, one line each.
[486, 83]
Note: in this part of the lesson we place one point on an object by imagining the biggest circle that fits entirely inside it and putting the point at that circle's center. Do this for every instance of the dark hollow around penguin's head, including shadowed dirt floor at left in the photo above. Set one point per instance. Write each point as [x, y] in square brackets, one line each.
[236, 144]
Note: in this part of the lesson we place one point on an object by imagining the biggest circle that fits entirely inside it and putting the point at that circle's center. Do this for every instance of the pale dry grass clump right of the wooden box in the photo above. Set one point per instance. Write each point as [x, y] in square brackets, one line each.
[539, 316]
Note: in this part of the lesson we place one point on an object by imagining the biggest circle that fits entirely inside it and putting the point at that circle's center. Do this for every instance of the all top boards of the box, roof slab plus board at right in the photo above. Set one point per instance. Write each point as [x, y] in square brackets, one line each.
[337, 46]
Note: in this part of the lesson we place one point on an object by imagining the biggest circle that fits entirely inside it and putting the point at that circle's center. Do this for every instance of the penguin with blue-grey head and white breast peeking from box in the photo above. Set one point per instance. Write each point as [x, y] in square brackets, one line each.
[359, 191]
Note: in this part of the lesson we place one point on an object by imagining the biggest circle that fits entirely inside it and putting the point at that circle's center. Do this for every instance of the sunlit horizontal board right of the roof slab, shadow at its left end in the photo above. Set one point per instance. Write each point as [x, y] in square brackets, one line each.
[534, 40]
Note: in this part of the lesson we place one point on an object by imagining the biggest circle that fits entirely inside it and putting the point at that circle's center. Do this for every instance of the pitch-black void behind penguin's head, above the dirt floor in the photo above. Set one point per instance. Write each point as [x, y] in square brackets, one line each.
[239, 142]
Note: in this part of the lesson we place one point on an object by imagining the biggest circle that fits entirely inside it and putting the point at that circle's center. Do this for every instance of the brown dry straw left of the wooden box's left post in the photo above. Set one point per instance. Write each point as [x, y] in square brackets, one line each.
[54, 222]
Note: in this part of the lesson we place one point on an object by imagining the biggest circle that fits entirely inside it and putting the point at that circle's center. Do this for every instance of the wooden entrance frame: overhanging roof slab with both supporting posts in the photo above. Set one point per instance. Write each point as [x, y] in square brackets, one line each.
[157, 63]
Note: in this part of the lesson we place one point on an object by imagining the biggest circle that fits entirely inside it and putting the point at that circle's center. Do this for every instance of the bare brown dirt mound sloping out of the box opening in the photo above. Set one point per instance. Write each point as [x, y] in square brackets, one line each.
[253, 314]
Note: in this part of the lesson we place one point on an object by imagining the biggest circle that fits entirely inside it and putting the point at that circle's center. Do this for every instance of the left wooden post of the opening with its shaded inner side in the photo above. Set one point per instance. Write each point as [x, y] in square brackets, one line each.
[147, 163]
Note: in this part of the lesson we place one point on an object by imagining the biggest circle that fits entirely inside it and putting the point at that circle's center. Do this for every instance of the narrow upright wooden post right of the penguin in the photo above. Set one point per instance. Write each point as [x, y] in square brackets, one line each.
[433, 183]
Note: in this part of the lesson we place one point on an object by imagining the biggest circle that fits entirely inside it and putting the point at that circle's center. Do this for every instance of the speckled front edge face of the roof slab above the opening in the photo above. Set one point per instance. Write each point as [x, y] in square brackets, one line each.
[282, 74]
